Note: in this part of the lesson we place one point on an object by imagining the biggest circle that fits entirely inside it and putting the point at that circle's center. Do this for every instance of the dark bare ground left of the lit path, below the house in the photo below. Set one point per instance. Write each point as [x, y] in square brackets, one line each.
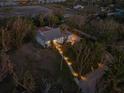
[42, 62]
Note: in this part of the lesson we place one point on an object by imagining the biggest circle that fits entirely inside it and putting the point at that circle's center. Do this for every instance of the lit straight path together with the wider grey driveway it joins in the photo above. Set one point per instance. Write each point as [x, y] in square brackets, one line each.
[86, 84]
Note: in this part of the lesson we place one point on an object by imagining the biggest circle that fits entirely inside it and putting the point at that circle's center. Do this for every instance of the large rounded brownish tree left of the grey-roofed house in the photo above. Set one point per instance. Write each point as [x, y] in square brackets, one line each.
[19, 29]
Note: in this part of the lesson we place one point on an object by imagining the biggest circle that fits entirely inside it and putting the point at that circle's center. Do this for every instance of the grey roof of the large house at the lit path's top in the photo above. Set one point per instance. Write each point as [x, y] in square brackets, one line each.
[53, 34]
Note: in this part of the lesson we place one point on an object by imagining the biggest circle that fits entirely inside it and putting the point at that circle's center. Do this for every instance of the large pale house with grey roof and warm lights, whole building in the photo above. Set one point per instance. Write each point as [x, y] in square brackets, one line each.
[45, 35]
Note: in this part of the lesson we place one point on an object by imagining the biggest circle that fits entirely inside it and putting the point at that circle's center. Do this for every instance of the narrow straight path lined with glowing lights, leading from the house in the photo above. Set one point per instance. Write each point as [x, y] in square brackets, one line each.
[69, 63]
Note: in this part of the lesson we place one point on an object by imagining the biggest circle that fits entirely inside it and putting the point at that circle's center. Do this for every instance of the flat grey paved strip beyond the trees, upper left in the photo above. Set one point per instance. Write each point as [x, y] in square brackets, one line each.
[25, 11]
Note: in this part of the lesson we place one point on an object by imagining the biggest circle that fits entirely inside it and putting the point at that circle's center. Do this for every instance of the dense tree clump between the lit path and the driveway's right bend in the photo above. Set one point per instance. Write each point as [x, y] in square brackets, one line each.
[86, 56]
